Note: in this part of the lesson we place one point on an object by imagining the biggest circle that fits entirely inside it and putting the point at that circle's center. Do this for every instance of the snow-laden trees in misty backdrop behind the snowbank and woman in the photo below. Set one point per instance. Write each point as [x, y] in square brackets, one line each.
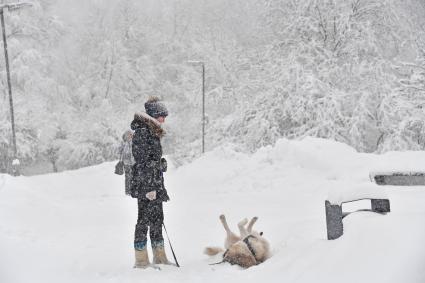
[351, 71]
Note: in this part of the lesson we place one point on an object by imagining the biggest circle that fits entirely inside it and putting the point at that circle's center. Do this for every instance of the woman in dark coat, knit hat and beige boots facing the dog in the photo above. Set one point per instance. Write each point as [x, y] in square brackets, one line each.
[147, 184]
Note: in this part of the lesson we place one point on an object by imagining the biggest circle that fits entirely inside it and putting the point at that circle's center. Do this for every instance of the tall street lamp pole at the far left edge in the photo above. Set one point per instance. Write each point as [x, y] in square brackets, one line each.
[11, 7]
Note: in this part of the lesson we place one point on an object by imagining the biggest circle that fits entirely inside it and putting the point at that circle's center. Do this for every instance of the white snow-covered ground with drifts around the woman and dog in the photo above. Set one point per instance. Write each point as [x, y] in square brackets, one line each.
[77, 226]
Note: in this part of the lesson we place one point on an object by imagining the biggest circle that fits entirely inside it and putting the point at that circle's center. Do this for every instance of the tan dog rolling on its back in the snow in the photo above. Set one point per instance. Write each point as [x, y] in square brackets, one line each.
[246, 250]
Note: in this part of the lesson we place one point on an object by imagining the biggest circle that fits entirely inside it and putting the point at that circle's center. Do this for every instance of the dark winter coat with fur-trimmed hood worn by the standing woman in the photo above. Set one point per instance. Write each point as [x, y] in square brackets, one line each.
[147, 153]
